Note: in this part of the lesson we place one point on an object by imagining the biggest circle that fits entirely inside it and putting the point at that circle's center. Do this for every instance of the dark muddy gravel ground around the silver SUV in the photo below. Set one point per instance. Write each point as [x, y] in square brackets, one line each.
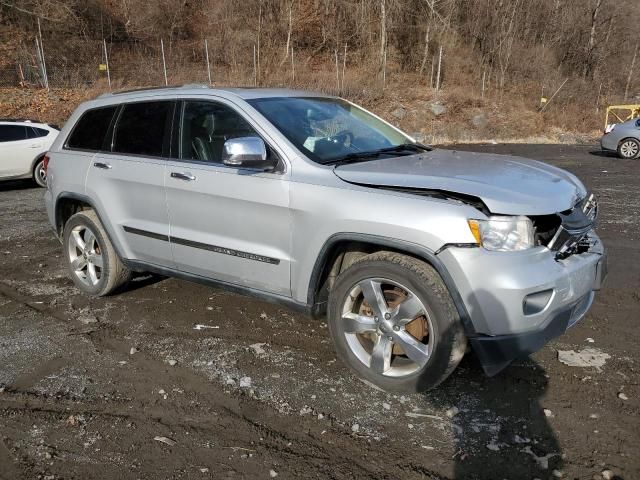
[247, 389]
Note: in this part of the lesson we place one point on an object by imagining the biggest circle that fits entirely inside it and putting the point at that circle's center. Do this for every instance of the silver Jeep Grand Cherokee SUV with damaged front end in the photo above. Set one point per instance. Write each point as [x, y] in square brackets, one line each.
[313, 202]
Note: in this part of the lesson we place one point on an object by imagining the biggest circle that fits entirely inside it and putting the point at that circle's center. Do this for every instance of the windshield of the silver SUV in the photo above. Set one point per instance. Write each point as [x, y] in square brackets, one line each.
[329, 130]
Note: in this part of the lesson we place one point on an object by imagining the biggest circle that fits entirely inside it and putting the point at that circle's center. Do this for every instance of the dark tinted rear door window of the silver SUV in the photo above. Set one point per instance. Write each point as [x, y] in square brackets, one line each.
[143, 128]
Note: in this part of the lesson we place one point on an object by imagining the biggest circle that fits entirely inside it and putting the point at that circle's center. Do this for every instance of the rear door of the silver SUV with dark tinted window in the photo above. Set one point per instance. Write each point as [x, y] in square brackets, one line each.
[128, 180]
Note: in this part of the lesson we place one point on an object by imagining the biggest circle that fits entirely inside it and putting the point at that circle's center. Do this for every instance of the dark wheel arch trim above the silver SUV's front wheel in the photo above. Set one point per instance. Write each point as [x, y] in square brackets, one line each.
[331, 258]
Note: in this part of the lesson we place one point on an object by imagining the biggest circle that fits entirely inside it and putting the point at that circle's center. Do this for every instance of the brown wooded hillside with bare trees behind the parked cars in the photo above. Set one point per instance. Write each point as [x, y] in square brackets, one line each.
[498, 57]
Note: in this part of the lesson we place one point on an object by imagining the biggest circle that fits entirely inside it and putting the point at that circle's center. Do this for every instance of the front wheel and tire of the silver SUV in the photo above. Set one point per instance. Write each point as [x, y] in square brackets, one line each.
[394, 323]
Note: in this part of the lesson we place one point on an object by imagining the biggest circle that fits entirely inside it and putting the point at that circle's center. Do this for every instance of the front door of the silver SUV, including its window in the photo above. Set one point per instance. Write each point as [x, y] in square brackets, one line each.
[228, 224]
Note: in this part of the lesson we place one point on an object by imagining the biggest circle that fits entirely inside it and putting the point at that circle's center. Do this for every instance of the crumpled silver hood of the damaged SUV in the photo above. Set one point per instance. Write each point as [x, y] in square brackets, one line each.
[506, 184]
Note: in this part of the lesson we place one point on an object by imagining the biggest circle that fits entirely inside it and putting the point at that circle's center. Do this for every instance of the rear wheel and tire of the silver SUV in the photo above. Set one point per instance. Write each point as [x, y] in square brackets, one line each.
[92, 262]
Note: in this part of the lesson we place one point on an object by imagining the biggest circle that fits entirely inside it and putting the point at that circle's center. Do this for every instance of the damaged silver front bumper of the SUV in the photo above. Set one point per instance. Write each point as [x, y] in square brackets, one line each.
[519, 301]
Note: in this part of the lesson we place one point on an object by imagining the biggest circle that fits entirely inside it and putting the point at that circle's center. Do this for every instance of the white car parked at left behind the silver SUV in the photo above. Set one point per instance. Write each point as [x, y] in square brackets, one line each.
[23, 144]
